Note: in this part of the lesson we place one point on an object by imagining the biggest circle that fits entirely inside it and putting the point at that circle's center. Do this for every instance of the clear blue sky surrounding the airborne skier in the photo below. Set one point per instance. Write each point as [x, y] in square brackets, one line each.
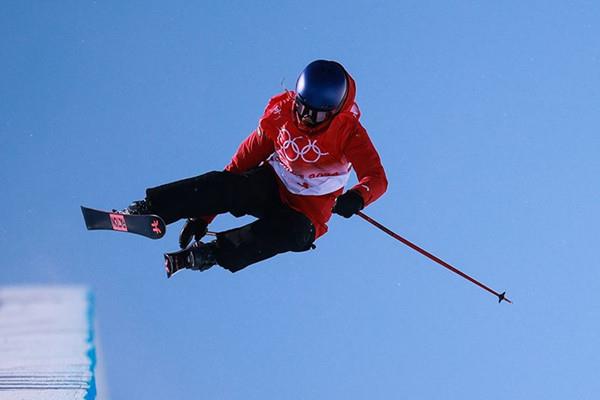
[486, 115]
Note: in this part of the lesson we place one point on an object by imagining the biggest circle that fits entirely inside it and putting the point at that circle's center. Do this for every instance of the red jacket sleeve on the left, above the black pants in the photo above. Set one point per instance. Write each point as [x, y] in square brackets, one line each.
[255, 149]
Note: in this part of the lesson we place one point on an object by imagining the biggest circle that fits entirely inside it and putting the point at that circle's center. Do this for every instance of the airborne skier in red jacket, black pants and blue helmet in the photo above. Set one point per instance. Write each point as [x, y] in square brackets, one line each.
[289, 173]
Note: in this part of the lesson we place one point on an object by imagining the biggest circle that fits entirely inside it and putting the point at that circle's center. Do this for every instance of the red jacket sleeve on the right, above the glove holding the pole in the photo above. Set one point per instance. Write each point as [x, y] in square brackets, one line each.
[372, 182]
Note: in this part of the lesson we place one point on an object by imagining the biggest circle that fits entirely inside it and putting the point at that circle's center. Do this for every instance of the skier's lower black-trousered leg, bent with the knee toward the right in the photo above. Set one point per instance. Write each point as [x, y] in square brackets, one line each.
[281, 231]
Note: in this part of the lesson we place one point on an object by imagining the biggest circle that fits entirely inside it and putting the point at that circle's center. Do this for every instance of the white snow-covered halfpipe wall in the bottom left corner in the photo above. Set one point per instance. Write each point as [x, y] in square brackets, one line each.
[47, 346]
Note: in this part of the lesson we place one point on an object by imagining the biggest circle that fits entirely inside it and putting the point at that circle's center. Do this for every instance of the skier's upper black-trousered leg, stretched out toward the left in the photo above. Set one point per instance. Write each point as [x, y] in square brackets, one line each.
[252, 192]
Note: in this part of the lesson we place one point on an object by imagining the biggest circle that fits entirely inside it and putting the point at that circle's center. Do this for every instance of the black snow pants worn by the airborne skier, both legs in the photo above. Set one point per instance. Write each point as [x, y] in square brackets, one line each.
[278, 229]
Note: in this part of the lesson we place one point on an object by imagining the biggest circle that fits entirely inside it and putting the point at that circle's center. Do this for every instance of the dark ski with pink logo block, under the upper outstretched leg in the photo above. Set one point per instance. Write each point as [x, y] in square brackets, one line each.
[150, 226]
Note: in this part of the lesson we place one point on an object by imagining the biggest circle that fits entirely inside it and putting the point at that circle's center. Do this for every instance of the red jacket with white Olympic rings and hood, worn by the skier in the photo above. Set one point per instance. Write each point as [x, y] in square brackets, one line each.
[313, 165]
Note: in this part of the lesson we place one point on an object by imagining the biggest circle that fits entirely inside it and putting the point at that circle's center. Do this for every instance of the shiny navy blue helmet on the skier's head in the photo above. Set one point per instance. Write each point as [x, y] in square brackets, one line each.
[320, 91]
